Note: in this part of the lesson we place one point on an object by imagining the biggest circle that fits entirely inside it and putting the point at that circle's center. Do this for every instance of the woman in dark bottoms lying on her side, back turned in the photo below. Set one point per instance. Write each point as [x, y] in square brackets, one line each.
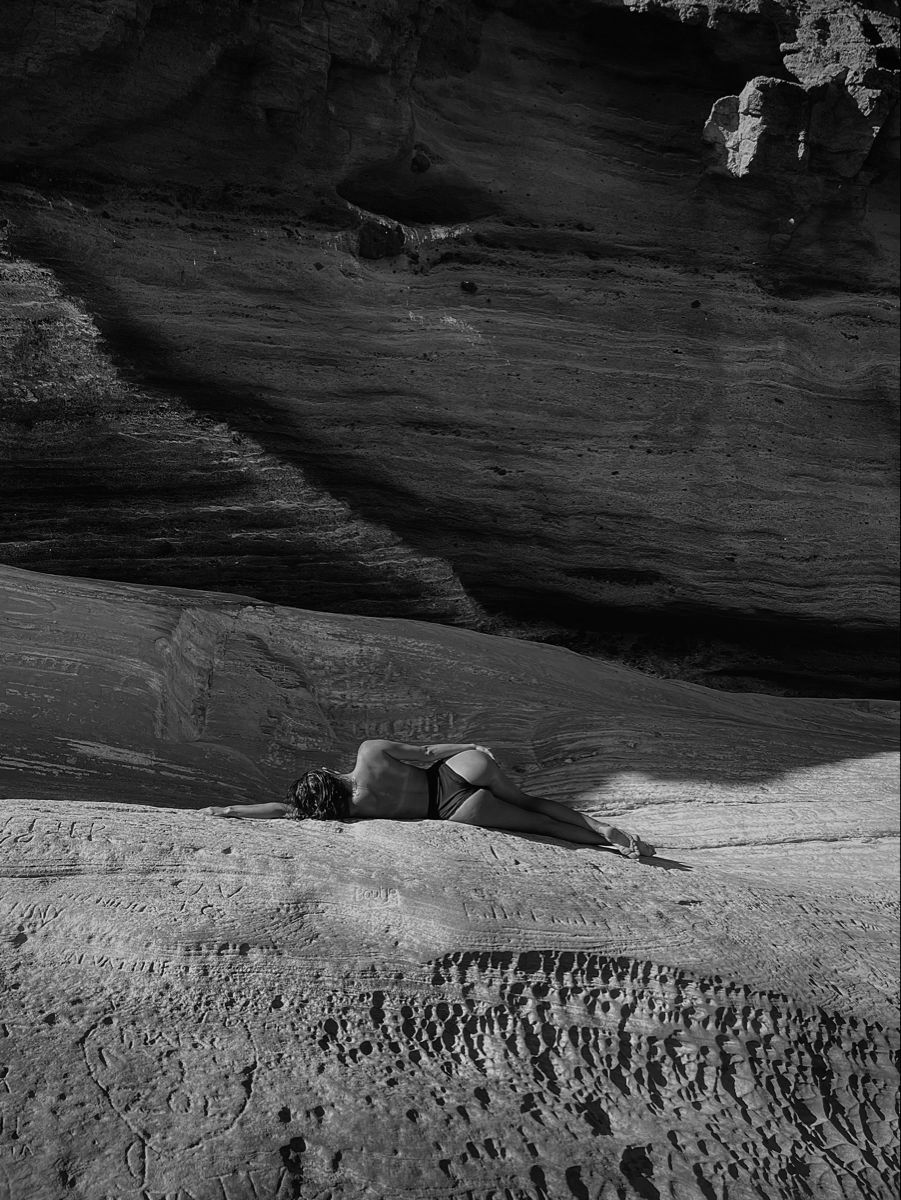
[461, 783]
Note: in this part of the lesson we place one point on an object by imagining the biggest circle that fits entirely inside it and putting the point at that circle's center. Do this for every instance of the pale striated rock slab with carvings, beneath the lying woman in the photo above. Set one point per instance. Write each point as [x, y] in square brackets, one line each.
[200, 1010]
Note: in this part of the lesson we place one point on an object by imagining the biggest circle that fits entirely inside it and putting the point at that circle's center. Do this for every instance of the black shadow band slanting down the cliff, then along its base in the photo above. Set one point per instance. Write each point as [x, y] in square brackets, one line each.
[146, 355]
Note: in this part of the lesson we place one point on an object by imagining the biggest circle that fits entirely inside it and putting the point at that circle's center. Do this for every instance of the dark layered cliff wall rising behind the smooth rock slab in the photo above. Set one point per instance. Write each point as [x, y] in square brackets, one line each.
[575, 321]
